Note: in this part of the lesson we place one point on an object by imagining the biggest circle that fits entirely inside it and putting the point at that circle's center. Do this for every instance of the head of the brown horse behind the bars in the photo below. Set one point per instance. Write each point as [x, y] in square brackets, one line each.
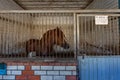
[60, 38]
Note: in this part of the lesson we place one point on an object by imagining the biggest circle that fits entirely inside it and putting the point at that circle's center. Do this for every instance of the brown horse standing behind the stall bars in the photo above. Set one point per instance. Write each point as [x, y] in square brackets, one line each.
[45, 45]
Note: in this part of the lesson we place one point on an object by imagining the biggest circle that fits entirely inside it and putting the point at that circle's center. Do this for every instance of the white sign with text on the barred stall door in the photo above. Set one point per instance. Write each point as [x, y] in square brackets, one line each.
[101, 20]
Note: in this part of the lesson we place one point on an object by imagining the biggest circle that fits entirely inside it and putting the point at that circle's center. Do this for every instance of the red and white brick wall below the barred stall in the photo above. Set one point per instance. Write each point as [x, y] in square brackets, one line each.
[40, 71]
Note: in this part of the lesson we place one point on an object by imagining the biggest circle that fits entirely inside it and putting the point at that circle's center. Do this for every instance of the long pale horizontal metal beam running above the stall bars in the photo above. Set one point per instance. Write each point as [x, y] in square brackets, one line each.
[61, 11]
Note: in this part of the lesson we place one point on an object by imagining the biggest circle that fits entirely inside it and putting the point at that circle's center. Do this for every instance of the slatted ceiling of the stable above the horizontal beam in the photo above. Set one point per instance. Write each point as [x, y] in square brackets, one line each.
[53, 4]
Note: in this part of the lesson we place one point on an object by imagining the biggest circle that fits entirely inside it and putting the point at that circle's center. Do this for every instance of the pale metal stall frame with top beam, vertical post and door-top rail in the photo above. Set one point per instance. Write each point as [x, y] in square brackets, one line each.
[76, 14]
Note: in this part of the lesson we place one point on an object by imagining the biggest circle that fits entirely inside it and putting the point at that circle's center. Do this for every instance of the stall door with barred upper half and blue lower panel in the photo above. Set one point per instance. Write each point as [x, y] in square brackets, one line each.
[98, 46]
